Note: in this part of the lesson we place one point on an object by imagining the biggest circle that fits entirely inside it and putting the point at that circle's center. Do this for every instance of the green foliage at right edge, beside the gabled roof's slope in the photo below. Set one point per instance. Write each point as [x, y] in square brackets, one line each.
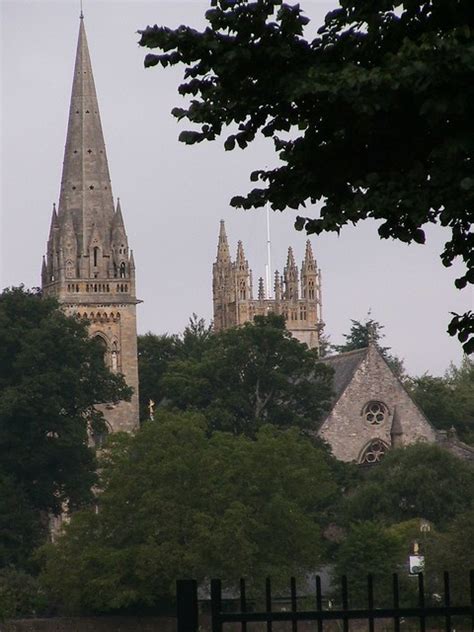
[448, 401]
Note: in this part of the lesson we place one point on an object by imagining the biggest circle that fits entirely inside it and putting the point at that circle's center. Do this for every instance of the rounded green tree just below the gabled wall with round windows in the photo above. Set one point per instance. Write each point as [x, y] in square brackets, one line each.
[419, 481]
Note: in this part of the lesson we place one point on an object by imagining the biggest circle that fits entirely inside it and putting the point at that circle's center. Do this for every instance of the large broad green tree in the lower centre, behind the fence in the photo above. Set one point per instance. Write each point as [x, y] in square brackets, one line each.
[176, 503]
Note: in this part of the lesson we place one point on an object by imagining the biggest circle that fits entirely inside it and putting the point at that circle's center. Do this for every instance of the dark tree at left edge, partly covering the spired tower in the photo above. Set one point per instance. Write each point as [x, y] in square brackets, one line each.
[52, 375]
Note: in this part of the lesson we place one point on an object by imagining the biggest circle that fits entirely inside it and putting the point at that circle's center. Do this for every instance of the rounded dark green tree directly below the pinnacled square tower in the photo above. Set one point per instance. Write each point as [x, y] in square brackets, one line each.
[250, 376]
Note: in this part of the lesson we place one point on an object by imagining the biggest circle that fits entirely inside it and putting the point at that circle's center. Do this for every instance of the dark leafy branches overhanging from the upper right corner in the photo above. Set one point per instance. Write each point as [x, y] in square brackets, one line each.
[380, 126]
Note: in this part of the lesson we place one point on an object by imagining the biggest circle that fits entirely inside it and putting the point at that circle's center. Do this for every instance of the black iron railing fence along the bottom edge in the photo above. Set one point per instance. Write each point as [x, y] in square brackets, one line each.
[444, 611]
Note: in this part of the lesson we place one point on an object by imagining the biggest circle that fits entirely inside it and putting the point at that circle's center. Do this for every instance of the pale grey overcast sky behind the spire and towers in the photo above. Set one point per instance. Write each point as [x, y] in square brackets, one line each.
[173, 196]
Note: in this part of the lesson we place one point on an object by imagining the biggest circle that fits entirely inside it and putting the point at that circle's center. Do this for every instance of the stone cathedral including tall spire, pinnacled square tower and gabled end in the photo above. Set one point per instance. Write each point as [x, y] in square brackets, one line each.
[89, 268]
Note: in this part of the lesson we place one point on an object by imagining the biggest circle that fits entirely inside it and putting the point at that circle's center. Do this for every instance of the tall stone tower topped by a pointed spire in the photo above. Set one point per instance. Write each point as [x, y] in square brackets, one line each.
[88, 266]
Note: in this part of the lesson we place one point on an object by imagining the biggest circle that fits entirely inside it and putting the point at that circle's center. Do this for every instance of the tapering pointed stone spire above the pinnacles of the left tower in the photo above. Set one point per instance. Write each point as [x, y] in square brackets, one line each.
[85, 184]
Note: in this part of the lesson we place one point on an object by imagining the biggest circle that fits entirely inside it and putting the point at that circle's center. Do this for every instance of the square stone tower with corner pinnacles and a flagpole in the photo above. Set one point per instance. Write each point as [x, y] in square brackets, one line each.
[297, 294]
